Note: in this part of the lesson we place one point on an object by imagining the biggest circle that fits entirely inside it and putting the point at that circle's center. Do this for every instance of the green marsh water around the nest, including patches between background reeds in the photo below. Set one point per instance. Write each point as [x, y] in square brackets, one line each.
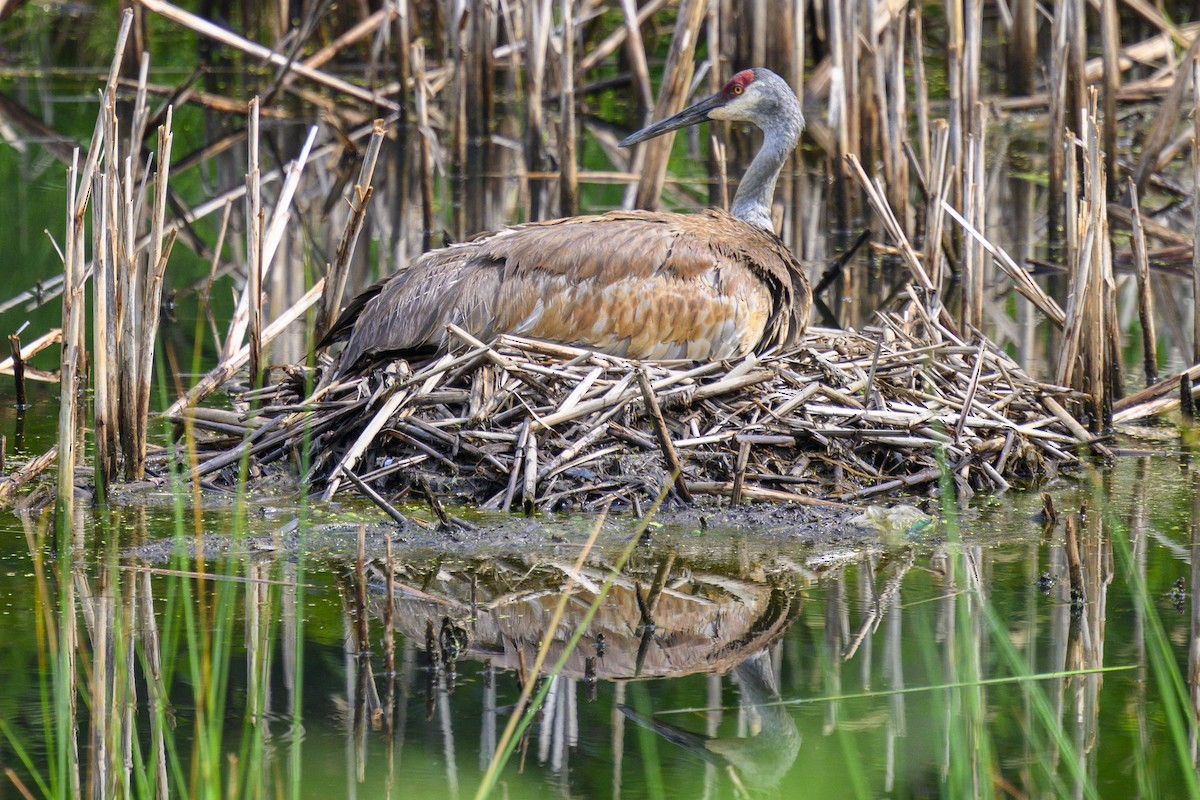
[239, 643]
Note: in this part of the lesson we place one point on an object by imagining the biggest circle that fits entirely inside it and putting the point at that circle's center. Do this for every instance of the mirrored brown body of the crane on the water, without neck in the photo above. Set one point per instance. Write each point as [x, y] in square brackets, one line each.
[664, 621]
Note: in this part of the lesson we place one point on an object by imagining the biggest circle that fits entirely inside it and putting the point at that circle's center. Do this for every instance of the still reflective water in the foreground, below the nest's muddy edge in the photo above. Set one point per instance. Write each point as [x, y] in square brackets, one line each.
[931, 667]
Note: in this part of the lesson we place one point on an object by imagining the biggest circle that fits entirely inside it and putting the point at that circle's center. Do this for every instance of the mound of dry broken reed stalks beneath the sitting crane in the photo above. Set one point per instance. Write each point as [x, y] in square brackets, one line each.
[545, 426]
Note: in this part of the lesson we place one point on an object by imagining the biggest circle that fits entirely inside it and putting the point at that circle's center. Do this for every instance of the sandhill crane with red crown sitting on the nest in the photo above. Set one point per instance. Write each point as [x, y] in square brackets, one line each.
[633, 284]
